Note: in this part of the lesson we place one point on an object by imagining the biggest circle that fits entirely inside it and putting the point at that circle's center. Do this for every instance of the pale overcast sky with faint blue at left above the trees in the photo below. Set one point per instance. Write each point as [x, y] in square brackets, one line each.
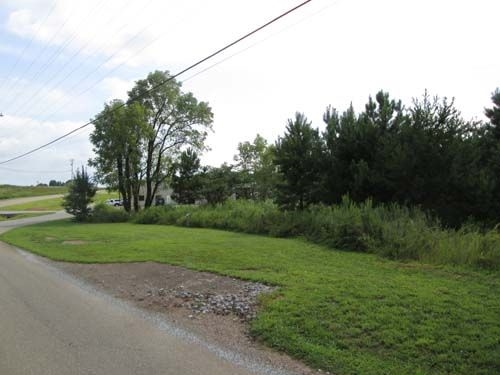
[61, 60]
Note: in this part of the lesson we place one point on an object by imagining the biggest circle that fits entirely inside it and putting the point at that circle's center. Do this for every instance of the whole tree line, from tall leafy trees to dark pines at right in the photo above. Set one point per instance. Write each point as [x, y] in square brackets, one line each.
[424, 154]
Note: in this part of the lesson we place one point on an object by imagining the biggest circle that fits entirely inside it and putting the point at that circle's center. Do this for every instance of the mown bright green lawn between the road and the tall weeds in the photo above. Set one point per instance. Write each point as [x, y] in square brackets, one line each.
[339, 311]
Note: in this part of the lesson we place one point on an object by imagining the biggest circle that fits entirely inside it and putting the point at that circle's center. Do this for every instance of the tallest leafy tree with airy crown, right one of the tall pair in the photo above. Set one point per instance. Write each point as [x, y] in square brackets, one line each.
[175, 119]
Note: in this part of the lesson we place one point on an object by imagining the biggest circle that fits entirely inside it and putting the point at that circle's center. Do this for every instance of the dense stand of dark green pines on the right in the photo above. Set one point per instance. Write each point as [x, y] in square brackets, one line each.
[425, 155]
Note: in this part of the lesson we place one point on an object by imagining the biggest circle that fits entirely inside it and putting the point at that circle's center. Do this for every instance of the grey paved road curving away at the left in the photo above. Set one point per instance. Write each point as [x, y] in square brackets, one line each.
[51, 324]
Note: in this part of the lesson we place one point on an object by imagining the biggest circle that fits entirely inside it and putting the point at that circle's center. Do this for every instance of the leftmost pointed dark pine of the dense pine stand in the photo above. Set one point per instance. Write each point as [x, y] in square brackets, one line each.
[299, 155]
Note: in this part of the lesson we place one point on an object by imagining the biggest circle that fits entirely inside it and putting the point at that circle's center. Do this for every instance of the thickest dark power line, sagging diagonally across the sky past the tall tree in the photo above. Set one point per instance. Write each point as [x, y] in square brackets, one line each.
[199, 62]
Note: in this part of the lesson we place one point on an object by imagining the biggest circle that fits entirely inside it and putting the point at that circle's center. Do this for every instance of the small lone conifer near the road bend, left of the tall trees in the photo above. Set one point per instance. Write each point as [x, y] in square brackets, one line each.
[80, 194]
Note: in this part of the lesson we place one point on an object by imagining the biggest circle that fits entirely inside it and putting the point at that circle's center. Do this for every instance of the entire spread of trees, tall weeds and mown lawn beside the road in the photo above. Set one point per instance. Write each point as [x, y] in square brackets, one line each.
[382, 230]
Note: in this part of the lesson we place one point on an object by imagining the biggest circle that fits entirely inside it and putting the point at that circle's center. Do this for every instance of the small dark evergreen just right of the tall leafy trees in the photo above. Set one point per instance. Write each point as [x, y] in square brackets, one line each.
[186, 181]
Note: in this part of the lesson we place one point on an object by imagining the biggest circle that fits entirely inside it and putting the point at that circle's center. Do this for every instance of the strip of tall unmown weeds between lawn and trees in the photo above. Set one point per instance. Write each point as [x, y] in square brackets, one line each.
[391, 231]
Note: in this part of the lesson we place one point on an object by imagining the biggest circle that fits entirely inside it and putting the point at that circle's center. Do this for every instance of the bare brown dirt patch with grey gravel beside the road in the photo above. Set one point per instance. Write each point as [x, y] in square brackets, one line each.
[215, 308]
